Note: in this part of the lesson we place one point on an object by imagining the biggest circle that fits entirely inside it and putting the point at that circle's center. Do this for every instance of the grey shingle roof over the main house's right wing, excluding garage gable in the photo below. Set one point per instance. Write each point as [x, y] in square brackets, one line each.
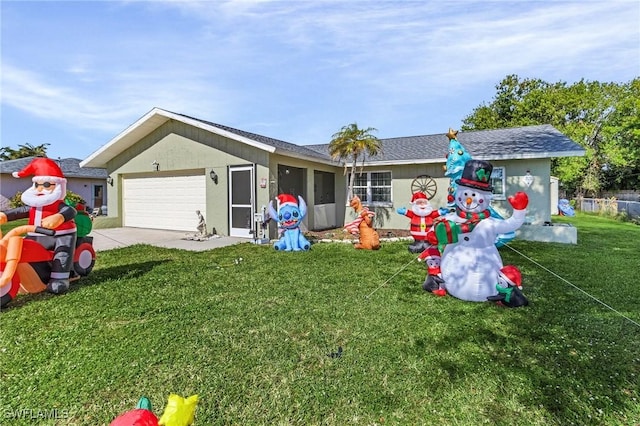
[543, 141]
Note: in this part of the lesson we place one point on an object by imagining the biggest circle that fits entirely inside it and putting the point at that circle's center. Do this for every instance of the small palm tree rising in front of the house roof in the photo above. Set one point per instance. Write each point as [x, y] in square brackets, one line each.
[350, 144]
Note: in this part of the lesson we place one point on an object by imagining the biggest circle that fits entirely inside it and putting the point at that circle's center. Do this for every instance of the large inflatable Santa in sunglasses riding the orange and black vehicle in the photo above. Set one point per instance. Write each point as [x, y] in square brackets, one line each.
[45, 207]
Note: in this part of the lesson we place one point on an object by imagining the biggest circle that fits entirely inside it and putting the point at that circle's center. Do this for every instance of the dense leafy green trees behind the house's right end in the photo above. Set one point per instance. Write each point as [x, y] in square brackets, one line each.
[601, 117]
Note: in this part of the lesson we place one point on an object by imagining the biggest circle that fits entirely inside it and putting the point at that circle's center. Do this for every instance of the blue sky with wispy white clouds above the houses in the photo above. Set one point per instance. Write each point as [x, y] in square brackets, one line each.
[75, 74]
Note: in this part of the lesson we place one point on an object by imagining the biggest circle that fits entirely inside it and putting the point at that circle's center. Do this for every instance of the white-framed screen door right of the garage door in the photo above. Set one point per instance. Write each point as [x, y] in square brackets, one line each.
[241, 201]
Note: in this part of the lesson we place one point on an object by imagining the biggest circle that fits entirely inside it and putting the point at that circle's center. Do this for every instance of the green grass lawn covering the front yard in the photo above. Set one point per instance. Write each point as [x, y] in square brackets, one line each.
[254, 340]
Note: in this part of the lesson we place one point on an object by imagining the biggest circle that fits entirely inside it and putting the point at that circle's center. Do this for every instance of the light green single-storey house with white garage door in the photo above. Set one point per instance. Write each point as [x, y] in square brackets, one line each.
[165, 166]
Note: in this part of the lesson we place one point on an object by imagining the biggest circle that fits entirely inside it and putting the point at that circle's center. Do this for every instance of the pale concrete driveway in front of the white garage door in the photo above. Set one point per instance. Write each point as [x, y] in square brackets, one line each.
[107, 239]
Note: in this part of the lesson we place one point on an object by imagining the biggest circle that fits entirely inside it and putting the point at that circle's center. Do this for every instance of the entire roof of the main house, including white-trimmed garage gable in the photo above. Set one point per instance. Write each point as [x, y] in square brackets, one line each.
[543, 141]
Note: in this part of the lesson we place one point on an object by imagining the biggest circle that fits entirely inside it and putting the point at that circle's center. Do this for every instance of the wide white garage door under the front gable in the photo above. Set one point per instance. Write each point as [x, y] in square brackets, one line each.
[164, 202]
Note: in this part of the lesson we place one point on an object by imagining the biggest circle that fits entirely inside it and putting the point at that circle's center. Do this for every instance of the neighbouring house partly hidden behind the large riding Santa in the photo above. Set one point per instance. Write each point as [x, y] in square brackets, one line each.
[88, 182]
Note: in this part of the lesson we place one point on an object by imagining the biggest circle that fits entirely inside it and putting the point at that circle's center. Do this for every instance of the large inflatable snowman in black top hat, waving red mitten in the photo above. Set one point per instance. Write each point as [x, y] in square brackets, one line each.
[467, 236]
